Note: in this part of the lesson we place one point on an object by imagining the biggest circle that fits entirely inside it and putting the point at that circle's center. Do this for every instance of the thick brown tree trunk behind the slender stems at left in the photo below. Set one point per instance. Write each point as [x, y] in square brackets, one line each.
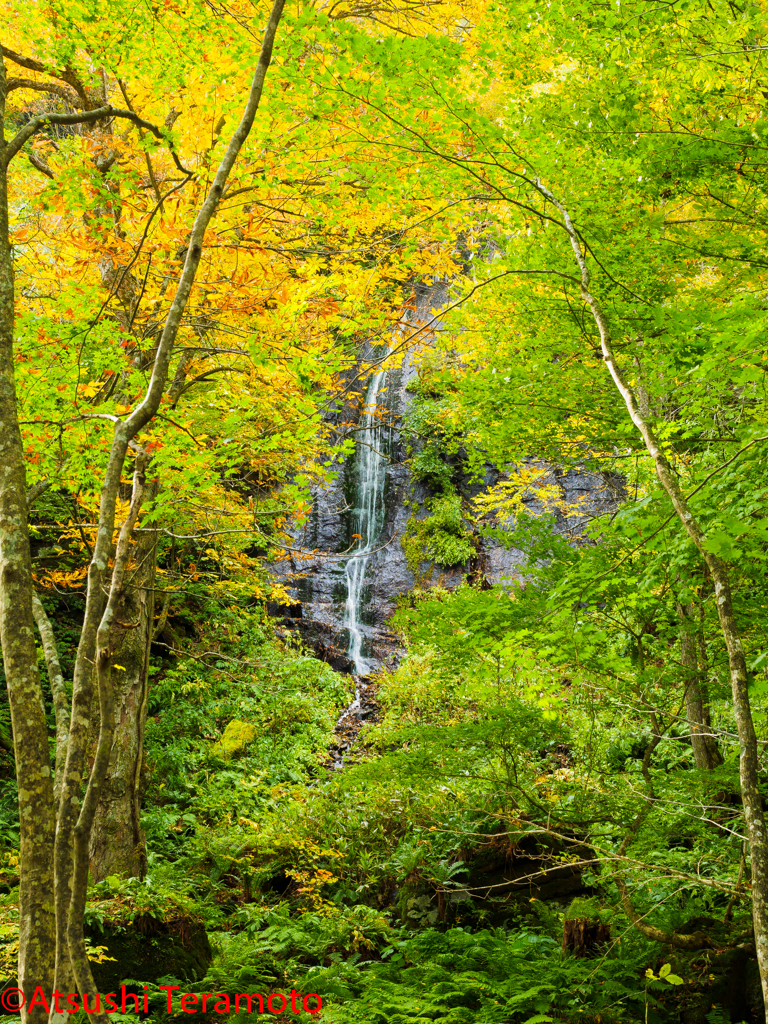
[117, 845]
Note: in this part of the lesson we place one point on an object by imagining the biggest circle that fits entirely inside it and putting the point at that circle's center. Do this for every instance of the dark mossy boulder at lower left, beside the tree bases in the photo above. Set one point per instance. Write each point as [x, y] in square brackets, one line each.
[150, 950]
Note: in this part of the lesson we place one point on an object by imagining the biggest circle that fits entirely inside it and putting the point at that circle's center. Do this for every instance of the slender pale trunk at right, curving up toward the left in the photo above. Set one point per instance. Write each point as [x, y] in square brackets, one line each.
[749, 759]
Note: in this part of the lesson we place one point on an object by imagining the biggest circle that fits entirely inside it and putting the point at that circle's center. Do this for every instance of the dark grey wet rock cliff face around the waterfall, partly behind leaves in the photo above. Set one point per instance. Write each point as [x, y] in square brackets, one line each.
[322, 583]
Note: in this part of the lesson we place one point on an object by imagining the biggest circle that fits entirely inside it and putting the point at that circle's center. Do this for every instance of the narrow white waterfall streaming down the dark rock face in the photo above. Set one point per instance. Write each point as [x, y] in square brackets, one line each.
[368, 518]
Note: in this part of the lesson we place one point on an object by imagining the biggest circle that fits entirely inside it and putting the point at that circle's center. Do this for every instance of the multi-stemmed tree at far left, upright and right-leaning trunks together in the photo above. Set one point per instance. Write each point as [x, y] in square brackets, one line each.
[66, 864]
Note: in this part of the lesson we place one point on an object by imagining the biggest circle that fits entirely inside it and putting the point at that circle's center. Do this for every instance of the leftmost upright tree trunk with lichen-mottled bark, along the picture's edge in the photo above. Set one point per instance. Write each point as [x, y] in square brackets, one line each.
[37, 935]
